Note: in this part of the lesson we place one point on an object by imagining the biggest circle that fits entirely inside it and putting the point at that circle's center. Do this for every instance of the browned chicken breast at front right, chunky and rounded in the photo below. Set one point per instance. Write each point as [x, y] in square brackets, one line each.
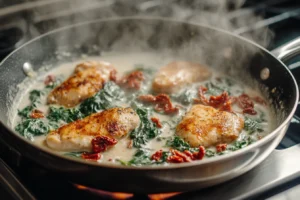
[207, 126]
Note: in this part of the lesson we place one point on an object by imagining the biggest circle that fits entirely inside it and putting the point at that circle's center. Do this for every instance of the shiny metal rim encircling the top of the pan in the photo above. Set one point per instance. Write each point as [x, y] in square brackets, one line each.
[231, 155]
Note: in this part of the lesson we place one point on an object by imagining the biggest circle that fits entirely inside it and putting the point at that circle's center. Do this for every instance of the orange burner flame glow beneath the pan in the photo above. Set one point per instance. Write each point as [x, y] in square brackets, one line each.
[123, 196]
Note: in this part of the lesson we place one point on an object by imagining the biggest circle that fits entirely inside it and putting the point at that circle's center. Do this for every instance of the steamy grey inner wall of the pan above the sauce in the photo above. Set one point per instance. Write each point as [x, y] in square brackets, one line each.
[219, 50]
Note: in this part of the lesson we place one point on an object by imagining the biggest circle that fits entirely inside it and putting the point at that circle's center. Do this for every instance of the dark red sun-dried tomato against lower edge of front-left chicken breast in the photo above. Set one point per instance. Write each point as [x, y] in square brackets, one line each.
[101, 143]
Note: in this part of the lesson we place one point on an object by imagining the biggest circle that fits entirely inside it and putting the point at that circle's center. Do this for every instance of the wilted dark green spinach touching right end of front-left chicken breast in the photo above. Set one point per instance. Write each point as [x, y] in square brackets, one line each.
[147, 129]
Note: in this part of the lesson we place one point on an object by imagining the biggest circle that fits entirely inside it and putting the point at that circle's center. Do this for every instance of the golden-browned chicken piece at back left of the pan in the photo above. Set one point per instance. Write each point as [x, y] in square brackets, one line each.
[88, 79]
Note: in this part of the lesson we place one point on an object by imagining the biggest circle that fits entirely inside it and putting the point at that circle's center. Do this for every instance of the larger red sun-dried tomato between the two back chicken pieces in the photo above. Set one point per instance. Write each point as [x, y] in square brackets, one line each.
[132, 80]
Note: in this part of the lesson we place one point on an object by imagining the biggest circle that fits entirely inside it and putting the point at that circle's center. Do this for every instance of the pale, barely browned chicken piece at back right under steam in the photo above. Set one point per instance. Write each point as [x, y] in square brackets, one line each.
[177, 74]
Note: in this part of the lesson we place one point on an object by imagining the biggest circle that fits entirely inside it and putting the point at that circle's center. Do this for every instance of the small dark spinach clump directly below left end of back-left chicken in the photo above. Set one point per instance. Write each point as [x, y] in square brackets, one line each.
[64, 114]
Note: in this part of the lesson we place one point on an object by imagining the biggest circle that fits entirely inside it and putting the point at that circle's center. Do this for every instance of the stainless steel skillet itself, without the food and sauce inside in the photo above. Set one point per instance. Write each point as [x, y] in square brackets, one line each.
[232, 54]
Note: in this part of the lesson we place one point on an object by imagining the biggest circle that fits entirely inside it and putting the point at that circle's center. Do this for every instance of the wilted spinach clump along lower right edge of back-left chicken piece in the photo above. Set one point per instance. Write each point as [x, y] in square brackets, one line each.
[108, 97]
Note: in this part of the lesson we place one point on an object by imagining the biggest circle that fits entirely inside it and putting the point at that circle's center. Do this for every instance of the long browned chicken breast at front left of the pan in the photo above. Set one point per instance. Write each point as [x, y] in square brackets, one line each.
[77, 136]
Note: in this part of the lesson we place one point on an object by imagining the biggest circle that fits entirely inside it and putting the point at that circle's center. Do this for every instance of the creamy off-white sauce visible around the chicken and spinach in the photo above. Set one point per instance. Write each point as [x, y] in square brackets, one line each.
[124, 63]
